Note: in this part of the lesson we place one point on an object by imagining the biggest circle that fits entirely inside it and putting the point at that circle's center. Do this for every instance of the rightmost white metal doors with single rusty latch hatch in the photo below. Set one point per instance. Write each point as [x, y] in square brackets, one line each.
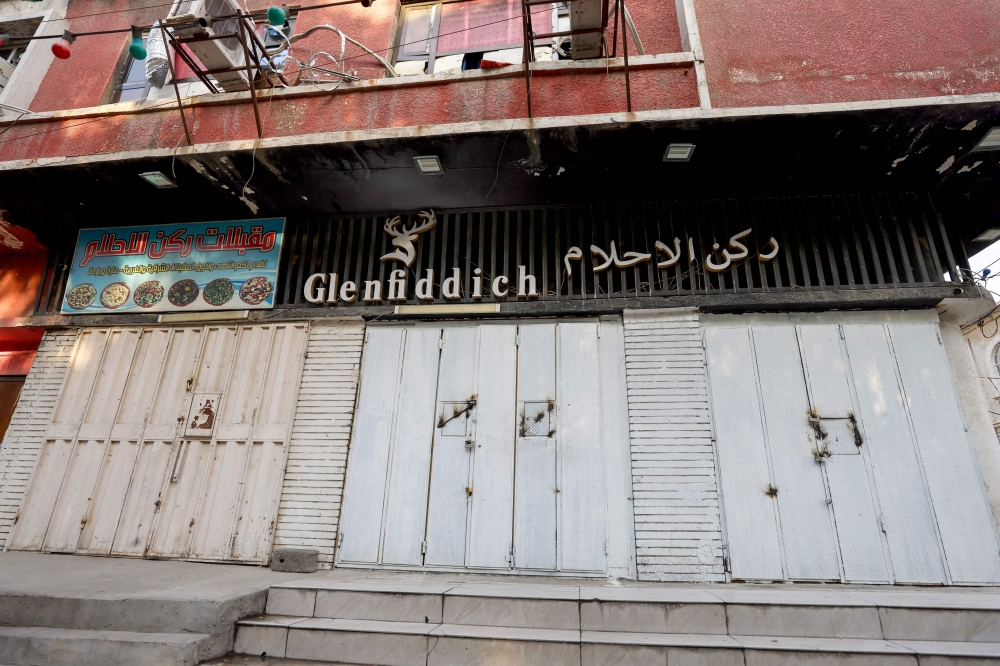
[842, 451]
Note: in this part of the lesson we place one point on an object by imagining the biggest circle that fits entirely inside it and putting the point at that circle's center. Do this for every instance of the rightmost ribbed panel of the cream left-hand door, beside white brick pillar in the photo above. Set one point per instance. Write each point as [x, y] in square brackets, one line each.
[261, 483]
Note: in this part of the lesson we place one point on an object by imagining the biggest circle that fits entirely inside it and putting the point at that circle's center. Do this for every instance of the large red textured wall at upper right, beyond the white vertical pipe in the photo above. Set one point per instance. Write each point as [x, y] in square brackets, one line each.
[767, 52]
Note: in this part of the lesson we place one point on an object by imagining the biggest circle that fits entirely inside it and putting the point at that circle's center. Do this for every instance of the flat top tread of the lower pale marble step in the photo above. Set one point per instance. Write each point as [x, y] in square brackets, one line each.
[710, 641]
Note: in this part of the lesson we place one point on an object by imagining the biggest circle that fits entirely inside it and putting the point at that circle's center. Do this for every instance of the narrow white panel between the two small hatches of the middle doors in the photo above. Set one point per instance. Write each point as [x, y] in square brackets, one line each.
[492, 501]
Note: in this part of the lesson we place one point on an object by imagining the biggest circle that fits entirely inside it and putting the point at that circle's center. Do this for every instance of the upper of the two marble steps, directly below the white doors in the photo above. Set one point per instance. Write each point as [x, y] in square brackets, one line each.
[848, 613]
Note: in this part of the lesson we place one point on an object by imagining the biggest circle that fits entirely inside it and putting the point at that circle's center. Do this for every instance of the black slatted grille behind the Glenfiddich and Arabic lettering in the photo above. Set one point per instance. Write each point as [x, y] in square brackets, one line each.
[824, 242]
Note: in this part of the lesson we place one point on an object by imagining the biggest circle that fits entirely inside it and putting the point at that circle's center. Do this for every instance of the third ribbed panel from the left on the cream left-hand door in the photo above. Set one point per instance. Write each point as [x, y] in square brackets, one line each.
[105, 512]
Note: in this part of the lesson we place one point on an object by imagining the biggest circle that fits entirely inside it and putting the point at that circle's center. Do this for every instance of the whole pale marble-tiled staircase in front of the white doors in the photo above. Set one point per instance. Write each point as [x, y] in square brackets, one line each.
[400, 622]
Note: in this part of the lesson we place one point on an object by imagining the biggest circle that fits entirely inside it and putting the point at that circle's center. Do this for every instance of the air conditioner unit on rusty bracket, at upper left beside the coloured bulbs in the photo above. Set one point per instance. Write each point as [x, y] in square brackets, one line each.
[196, 18]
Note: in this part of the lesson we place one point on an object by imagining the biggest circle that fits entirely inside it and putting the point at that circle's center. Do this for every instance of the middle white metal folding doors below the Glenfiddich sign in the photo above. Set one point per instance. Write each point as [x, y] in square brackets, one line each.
[490, 446]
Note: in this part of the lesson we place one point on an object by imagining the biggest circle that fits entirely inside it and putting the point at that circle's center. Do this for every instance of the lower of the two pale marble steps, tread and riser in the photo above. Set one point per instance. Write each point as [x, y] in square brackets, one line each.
[418, 644]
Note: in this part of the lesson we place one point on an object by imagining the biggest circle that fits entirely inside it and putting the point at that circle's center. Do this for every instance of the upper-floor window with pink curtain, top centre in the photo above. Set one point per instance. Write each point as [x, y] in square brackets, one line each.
[469, 35]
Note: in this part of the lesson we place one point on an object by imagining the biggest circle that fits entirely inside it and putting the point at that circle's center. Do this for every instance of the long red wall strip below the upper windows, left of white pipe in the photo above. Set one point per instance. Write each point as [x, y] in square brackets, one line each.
[436, 103]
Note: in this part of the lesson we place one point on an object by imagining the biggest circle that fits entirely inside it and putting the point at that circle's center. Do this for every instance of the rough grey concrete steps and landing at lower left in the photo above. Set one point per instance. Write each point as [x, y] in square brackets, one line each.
[63, 609]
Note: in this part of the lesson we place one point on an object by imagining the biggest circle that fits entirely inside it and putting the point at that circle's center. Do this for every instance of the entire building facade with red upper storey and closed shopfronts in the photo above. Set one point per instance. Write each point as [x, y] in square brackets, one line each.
[681, 303]
